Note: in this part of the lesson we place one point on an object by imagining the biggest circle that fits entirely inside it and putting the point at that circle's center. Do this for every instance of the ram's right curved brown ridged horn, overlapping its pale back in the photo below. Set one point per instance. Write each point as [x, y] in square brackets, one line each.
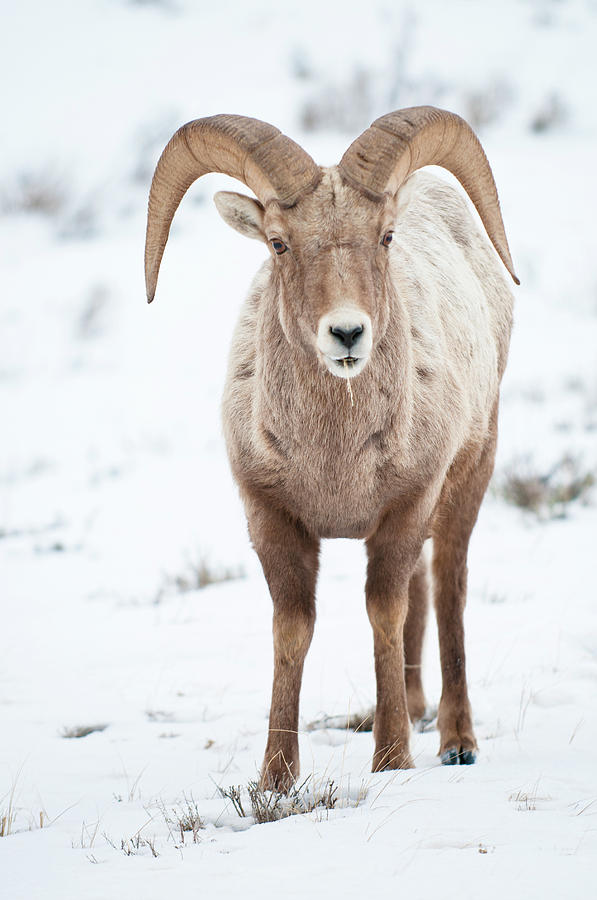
[397, 144]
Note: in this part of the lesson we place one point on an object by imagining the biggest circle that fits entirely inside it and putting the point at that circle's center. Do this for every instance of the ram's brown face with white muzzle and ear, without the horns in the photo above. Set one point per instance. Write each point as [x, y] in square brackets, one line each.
[330, 257]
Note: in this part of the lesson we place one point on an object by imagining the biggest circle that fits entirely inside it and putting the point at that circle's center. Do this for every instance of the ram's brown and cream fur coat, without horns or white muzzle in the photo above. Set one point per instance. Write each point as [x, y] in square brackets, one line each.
[410, 460]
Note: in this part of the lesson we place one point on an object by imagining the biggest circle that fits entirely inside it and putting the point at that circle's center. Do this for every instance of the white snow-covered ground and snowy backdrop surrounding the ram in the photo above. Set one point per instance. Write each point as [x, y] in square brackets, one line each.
[114, 481]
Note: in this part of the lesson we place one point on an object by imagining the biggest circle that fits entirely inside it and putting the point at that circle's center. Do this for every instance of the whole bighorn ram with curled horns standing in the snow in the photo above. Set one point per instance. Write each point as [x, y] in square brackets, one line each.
[380, 276]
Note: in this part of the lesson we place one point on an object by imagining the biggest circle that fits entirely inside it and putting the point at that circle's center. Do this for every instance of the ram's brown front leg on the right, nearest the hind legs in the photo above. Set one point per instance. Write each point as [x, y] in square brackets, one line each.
[392, 559]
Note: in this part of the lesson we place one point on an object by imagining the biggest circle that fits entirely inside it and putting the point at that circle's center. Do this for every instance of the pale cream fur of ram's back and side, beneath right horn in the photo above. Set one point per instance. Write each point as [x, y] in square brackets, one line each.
[459, 302]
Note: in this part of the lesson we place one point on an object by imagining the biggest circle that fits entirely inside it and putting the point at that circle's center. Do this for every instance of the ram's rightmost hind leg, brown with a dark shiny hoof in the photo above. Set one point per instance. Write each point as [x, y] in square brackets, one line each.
[457, 514]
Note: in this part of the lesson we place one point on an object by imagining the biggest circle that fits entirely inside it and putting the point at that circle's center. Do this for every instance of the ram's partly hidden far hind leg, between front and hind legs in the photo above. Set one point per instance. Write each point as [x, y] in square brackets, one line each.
[414, 632]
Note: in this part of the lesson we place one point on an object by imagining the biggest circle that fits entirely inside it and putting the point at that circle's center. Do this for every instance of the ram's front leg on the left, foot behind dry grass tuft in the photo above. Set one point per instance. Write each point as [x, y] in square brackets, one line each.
[289, 557]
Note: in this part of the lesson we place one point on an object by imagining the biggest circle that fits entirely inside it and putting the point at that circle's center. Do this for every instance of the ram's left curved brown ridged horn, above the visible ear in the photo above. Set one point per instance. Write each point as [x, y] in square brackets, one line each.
[267, 161]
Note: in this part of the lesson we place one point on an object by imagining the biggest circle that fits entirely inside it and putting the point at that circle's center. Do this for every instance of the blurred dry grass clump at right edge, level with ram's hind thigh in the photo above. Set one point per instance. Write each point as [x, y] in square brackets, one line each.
[547, 493]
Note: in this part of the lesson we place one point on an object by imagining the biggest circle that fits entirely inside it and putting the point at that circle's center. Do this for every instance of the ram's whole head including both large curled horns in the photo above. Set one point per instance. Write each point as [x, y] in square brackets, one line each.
[328, 230]
